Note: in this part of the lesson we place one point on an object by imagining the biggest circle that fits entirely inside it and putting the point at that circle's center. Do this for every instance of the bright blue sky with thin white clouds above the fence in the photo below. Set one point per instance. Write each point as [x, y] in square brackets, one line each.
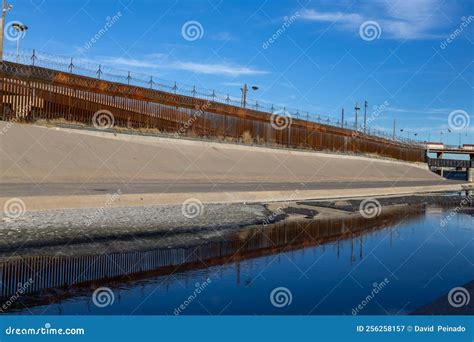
[310, 55]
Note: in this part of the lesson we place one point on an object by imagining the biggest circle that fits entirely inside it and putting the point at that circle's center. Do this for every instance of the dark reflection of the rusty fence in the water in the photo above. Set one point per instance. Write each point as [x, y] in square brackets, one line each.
[49, 272]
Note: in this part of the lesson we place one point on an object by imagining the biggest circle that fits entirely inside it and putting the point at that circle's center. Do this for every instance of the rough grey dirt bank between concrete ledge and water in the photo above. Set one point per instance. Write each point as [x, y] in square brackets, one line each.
[108, 230]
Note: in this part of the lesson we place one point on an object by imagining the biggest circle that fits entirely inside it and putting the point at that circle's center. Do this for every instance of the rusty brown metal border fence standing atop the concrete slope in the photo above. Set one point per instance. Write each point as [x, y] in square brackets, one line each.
[31, 92]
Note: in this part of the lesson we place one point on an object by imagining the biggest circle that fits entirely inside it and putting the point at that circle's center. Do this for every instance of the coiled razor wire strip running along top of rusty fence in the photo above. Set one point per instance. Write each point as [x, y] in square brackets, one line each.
[87, 68]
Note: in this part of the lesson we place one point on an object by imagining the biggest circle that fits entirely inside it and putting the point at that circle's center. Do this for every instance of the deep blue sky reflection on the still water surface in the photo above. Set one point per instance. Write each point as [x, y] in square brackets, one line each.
[421, 260]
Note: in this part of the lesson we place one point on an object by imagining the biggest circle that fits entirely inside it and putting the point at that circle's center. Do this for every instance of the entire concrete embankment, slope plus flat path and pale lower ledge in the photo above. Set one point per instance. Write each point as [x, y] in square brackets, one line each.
[54, 158]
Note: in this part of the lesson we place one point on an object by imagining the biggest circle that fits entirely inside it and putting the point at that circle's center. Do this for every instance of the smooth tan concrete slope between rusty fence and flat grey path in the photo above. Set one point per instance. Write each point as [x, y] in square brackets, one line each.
[31, 153]
